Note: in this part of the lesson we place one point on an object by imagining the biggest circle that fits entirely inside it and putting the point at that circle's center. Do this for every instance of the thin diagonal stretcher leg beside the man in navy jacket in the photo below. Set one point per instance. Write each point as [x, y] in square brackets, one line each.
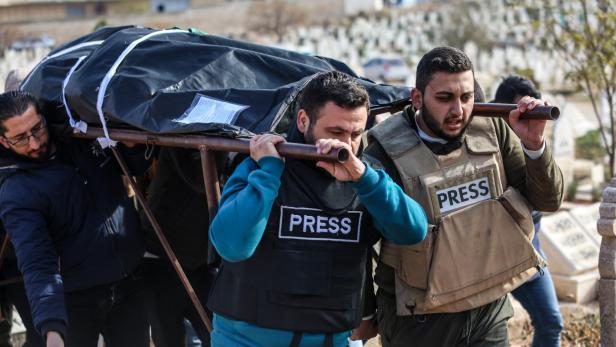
[163, 240]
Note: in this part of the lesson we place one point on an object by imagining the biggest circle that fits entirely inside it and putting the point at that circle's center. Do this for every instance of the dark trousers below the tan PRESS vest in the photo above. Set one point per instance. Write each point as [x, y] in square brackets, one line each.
[485, 326]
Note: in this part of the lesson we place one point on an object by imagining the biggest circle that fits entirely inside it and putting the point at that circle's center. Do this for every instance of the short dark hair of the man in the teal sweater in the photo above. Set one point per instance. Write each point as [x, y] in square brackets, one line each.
[344, 90]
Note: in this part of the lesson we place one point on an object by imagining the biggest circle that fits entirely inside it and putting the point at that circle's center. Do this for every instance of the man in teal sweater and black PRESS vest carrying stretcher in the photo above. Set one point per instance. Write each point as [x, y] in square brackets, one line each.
[295, 236]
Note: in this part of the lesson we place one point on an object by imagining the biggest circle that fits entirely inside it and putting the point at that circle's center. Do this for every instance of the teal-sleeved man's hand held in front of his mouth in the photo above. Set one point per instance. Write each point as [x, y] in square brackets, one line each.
[350, 170]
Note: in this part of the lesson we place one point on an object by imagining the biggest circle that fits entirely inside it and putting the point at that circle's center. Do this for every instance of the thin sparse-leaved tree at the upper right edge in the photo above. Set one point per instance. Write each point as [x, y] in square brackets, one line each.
[583, 32]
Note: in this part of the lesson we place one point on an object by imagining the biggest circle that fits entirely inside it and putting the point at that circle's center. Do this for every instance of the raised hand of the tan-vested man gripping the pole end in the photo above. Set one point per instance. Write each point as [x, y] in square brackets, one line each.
[530, 131]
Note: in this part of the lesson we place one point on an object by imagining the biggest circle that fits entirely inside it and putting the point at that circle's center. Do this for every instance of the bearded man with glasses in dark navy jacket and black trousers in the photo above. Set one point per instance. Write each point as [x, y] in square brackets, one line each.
[76, 234]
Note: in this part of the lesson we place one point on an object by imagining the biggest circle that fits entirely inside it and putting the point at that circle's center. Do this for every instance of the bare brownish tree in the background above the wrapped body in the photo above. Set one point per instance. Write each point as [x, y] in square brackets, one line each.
[274, 17]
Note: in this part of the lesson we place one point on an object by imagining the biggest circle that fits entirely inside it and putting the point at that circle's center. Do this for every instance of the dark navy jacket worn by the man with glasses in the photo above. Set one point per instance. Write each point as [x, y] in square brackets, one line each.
[71, 223]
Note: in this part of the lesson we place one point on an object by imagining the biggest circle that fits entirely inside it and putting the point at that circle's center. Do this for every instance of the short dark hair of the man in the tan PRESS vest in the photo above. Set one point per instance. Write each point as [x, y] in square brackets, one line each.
[441, 59]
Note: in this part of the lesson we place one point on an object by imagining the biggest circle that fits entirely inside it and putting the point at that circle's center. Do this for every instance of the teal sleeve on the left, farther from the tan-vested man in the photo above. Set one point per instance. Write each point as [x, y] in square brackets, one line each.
[245, 207]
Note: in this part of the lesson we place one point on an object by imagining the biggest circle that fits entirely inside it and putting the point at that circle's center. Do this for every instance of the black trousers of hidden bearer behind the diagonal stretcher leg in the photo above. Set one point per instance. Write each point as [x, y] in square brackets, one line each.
[168, 304]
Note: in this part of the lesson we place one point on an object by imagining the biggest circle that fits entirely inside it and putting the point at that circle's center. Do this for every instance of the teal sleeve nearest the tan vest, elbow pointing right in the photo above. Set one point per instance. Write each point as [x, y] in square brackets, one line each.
[397, 216]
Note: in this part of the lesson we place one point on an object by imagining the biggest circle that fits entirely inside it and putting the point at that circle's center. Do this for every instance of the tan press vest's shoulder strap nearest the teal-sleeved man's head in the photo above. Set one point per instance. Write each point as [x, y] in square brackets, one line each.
[395, 135]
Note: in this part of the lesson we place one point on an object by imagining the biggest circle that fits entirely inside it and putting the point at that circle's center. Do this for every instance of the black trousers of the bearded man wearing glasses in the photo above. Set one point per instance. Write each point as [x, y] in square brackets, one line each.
[116, 310]
